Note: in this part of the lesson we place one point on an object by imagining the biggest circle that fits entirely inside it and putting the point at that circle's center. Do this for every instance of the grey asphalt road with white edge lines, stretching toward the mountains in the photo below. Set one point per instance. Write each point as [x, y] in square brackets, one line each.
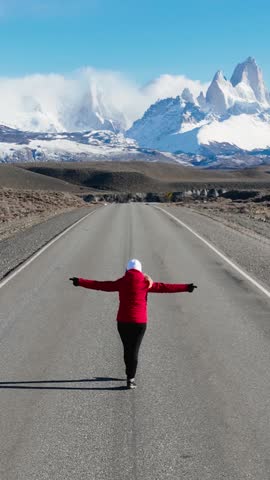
[202, 407]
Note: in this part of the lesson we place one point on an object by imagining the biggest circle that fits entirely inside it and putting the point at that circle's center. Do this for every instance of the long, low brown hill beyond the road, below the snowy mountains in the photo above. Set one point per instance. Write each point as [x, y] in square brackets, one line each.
[146, 177]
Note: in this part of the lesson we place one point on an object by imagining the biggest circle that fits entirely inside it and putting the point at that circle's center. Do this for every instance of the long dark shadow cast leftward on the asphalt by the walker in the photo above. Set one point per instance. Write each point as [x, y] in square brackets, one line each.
[32, 384]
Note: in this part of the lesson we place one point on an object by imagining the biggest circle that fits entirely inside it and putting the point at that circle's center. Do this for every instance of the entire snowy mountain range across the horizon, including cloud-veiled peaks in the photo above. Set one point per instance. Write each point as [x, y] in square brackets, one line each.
[225, 126]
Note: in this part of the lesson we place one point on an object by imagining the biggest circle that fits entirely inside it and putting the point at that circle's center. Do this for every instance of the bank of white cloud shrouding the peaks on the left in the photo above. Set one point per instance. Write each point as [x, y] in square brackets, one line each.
[52, 101]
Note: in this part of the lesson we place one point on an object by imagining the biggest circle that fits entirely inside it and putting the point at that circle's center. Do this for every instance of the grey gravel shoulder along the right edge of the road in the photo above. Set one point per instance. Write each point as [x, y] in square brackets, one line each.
[250, 253]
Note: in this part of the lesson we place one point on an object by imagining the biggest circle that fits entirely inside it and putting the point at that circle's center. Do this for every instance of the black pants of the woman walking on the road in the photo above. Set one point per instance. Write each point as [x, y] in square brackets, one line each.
[131, 335]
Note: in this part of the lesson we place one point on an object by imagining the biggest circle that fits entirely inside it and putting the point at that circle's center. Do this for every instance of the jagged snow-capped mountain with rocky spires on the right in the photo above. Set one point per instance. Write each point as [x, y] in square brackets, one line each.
[234, 114]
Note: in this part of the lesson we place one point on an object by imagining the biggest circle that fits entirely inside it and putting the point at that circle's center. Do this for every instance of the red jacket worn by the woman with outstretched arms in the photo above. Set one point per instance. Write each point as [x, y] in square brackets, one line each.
[133, 289]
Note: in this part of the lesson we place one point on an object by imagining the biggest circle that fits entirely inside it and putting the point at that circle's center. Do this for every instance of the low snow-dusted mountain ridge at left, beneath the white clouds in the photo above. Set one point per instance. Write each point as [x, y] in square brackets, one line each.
[18, 146]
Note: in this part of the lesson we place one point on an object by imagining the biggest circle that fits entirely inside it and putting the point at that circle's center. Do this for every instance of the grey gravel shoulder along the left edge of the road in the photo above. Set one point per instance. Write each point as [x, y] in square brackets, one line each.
[15, 250]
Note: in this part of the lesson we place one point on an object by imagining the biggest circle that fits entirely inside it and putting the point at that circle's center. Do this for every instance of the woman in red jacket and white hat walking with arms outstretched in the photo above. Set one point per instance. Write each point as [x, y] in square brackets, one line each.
[133, 288]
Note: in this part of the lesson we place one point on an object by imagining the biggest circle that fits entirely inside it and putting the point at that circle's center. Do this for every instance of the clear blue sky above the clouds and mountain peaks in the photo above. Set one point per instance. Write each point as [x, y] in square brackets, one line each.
[140, 38]
